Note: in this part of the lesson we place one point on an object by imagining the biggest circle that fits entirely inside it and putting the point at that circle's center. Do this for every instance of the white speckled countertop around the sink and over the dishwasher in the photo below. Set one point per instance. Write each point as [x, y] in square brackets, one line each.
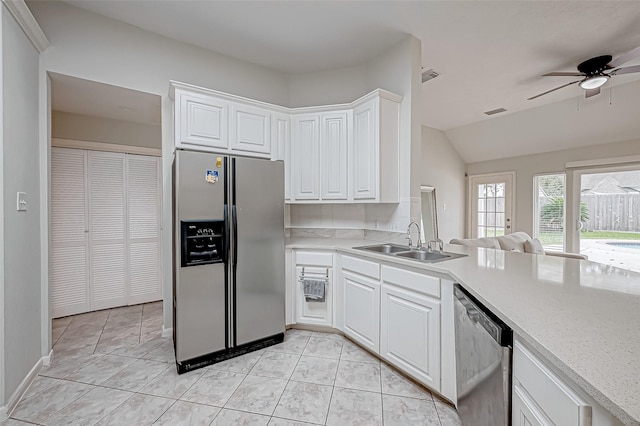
[584, 317]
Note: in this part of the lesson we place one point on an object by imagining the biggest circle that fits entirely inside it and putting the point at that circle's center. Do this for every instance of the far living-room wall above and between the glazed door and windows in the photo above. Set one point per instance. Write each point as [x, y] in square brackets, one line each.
[529, 165]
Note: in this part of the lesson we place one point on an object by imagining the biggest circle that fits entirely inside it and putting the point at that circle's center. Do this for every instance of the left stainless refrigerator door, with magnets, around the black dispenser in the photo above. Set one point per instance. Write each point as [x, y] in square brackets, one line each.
[199, 291]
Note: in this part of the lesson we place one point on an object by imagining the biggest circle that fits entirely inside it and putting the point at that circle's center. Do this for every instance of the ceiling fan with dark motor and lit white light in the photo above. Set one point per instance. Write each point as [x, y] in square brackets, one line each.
[596, 72]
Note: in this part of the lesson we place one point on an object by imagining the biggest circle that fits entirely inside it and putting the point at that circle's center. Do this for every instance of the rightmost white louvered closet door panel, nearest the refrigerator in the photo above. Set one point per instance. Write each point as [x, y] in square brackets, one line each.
[143, 198]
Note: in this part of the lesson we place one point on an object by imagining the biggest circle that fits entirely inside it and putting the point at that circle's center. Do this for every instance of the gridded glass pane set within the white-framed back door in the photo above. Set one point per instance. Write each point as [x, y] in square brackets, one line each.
[491, 213]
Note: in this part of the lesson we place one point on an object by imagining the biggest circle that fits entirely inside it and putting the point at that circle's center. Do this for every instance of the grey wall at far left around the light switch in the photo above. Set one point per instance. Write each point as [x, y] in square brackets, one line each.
[21, 319]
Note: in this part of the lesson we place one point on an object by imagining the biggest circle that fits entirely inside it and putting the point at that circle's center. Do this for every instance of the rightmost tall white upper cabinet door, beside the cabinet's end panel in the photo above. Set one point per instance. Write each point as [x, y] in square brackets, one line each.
[365, 151]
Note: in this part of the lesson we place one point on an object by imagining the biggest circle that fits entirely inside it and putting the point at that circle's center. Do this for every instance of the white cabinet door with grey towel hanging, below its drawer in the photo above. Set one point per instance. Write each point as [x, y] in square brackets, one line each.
[313, 313]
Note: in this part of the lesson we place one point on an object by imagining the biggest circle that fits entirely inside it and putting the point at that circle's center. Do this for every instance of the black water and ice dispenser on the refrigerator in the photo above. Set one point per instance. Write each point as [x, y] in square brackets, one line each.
[202, 242]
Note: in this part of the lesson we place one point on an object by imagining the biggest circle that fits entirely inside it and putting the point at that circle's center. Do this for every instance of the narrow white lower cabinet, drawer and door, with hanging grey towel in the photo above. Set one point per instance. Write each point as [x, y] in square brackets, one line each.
[317, 265]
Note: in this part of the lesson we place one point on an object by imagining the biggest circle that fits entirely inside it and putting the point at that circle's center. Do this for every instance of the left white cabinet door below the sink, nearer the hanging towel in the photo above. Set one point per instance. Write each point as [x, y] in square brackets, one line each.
[361, 305]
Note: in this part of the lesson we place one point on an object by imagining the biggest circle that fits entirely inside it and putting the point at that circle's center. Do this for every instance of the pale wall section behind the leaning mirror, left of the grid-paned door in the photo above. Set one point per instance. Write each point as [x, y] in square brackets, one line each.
[442, 168]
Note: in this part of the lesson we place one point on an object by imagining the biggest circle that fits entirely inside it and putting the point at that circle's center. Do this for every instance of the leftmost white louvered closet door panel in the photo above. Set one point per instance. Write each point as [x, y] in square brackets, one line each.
[69, 274]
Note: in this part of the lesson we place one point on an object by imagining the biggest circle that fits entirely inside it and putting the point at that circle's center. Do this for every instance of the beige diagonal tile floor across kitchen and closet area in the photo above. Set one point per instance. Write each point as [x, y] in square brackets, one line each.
[113, 367]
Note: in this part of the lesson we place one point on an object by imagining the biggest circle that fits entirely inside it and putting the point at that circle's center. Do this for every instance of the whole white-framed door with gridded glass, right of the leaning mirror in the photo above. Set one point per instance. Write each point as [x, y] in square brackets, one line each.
[491, 208]
